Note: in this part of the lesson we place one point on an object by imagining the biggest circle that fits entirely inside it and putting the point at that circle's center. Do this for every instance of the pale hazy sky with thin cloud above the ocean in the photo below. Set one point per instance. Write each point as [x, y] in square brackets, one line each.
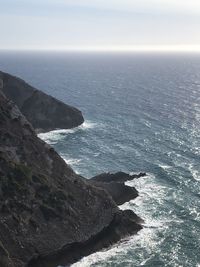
[100, 24]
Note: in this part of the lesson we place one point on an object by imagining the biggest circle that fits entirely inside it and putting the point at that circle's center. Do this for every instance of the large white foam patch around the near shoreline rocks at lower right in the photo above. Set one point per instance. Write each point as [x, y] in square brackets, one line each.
[147, 240]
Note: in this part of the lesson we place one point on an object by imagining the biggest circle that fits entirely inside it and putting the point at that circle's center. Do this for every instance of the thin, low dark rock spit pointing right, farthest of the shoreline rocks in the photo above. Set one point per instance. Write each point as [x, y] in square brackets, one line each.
[117, 177]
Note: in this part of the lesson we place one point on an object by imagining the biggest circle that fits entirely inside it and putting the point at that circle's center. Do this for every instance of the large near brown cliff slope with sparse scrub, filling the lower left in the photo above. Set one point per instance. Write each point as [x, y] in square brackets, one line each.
[48, 214]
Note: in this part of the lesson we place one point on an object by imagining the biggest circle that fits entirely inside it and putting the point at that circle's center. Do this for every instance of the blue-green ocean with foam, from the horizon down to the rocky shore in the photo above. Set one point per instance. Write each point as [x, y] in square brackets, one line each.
[142, 113]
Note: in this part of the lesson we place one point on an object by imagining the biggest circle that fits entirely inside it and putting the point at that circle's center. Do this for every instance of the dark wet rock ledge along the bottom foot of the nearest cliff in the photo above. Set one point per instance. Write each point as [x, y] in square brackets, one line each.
[121, 223]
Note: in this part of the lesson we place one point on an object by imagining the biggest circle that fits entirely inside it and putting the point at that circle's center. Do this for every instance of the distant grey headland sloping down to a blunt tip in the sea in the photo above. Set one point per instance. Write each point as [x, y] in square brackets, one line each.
[44, 112]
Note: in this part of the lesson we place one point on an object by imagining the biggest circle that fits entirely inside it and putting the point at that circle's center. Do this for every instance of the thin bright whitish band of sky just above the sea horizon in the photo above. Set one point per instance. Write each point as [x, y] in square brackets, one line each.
[109, 48]
